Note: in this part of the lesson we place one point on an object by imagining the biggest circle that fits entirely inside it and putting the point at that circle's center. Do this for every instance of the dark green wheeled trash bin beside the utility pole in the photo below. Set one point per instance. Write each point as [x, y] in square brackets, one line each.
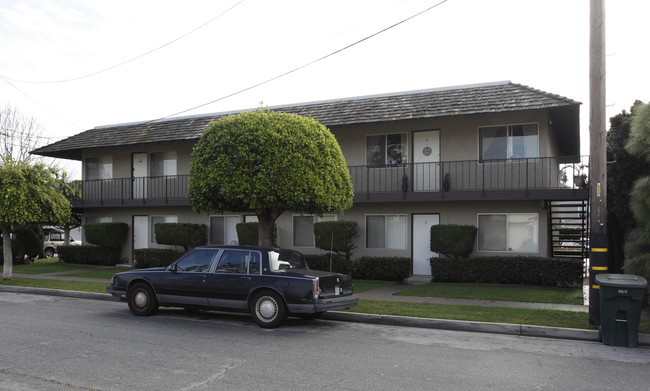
[621, 298]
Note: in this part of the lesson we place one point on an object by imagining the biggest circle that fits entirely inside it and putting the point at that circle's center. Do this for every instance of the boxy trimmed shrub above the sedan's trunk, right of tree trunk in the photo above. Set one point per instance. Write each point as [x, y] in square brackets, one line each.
[336, 236]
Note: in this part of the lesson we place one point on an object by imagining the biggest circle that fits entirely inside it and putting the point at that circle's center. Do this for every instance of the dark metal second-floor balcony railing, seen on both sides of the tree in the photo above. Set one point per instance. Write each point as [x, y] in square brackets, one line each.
[558, 178]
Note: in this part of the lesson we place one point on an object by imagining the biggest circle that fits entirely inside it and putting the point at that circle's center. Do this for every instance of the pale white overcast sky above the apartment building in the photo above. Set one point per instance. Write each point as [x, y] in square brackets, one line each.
[77, 64]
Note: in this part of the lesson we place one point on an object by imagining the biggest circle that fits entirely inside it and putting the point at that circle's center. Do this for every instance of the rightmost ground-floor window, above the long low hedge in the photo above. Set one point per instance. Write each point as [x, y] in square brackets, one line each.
[516, 232]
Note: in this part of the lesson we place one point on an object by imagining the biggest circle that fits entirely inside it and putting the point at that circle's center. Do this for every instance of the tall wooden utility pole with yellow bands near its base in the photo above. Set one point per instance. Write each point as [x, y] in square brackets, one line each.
[597, 159]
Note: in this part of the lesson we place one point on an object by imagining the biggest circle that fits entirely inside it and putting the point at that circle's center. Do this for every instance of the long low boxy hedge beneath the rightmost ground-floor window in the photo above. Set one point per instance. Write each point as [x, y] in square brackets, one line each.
[509, 270]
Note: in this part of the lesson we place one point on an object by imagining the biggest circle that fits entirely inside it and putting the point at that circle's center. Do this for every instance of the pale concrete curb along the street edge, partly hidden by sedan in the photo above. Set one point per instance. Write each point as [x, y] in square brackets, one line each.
[391, 320]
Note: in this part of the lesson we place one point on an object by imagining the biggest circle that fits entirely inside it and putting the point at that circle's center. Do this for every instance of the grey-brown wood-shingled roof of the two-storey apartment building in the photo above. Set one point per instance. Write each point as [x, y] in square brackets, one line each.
[442, 102]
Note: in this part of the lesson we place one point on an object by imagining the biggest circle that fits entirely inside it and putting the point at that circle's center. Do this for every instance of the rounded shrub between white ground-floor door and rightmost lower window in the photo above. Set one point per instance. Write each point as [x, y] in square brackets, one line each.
[453, 241]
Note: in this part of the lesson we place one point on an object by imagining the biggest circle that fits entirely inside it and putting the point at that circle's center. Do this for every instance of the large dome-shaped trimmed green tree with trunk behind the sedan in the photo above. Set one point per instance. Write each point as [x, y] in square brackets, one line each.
[268, 163]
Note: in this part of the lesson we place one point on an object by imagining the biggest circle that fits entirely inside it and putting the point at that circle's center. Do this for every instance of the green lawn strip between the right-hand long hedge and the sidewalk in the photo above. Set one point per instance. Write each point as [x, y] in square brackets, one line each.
[532, 294]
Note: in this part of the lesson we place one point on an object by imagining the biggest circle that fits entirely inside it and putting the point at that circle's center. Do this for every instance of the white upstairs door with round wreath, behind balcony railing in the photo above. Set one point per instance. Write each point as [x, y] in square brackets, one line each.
[426, 159]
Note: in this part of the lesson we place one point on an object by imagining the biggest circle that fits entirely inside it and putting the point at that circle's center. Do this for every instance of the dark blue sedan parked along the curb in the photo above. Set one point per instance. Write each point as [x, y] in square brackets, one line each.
[269, 283]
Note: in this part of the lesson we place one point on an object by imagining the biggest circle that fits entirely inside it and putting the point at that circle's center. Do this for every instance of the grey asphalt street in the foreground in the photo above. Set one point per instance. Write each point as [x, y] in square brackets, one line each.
[67, 343]
